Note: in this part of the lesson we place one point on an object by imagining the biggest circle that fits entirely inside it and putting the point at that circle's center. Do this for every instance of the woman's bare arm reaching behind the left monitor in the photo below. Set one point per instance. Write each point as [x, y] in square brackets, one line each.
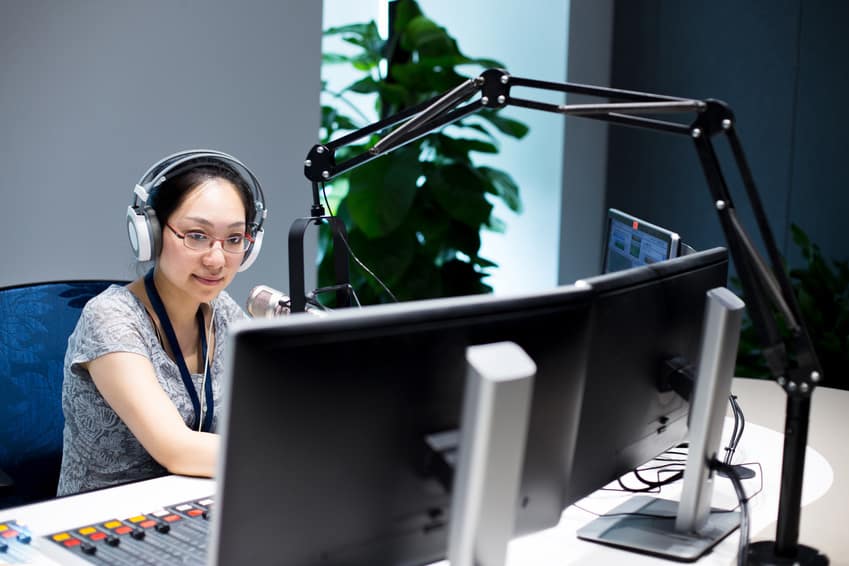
[128, 383]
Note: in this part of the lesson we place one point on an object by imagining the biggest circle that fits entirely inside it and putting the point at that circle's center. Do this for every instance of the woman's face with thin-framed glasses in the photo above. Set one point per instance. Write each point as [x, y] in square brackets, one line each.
[214, 208]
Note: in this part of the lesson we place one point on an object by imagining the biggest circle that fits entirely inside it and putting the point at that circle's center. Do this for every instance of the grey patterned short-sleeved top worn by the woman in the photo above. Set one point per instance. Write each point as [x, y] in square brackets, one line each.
[98, 448]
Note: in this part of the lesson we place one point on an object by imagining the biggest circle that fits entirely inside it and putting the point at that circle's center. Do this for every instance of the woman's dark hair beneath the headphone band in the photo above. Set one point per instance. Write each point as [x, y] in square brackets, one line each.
[171, 193]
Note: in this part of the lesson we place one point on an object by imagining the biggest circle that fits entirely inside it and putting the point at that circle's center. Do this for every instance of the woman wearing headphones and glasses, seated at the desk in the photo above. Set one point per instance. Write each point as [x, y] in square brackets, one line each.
[141, 390]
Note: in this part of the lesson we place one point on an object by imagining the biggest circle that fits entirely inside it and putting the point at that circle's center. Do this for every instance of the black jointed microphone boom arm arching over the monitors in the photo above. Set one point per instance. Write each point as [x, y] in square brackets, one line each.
[767, 290]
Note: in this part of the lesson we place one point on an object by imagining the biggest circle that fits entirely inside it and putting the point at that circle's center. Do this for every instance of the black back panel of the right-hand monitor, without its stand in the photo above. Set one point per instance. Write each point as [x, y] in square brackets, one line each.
[641, 318]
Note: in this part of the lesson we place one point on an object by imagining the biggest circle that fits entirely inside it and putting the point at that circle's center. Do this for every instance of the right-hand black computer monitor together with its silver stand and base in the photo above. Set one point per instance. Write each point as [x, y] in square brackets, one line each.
[682, 314]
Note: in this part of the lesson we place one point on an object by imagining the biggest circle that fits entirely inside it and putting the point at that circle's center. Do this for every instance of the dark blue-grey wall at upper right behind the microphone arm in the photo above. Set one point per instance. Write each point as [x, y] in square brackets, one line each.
[778, 66]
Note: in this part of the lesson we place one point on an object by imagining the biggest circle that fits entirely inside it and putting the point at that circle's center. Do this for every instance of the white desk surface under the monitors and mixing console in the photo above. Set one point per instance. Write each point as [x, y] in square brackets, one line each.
[825, 494]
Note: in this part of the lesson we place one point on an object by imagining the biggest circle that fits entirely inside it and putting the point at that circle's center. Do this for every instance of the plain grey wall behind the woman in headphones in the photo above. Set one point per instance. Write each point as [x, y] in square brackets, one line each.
[91, 93]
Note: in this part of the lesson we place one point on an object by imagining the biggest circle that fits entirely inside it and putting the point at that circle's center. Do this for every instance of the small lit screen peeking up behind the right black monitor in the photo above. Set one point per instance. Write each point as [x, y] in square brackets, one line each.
[631, 242]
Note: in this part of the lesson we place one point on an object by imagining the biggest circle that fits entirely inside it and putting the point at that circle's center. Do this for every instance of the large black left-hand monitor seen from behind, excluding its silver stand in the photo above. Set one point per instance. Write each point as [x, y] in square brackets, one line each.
[339, 433]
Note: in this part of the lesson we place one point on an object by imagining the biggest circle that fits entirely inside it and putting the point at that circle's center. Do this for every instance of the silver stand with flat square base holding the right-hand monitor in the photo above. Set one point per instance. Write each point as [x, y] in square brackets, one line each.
[687, 529]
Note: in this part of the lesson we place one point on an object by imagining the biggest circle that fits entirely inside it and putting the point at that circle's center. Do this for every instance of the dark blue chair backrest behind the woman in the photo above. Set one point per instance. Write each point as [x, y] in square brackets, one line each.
[35, 323]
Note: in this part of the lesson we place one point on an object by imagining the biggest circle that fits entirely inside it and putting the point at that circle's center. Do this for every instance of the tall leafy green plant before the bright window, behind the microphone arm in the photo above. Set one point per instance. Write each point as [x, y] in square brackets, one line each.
[413, 216]
